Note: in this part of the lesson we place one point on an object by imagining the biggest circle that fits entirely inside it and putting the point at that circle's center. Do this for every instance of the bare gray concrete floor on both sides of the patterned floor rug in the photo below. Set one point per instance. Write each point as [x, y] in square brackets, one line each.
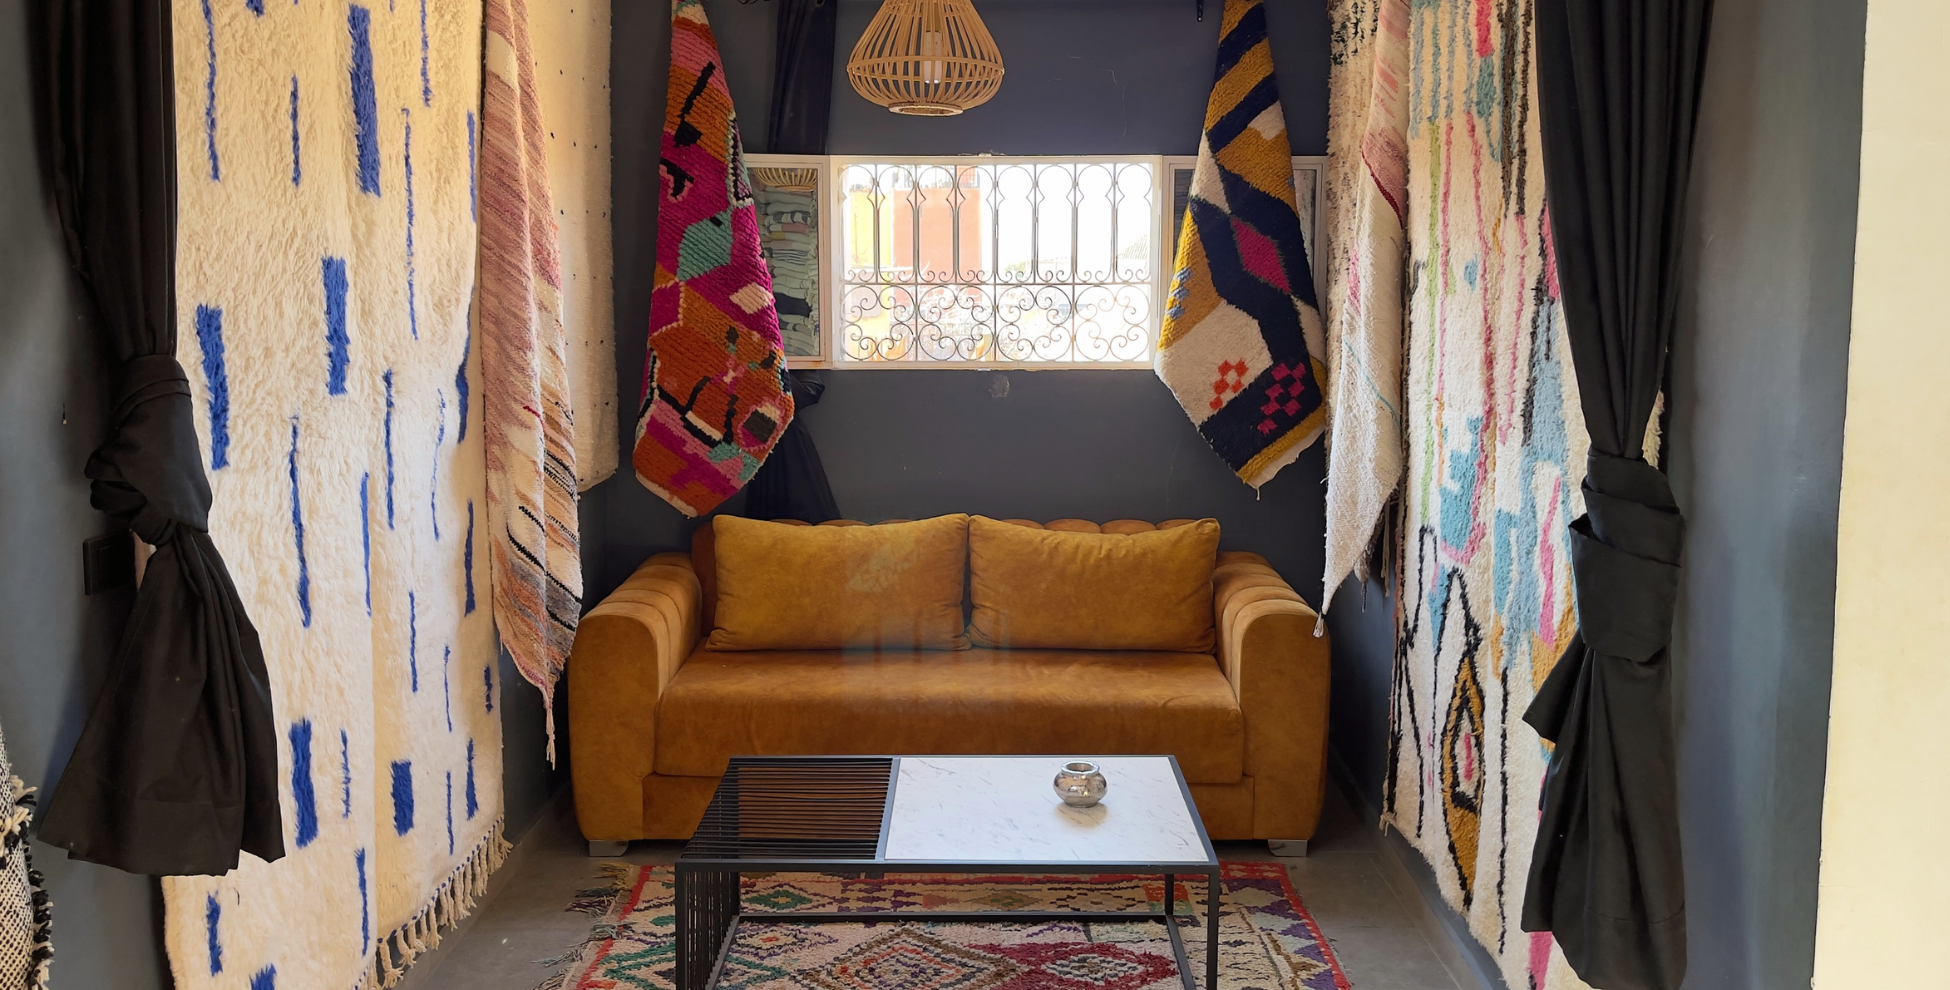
[1372, 915]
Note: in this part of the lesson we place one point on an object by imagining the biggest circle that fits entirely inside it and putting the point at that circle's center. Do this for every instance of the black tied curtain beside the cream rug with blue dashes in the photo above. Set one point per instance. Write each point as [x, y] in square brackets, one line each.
[176, 769]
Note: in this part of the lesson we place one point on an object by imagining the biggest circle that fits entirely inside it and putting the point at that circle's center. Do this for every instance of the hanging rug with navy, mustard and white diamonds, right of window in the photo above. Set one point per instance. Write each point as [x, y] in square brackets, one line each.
[1243, 334]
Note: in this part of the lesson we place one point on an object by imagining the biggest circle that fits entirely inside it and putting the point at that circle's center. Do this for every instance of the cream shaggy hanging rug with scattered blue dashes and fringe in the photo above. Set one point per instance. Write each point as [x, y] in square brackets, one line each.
[327, 161]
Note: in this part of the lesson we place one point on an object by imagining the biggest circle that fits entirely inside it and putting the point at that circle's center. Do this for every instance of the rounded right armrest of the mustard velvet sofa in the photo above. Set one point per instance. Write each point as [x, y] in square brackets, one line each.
[1280, 673]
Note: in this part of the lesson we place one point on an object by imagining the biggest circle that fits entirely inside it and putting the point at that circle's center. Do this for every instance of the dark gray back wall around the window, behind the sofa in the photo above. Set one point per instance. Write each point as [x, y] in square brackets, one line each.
[1085, 77]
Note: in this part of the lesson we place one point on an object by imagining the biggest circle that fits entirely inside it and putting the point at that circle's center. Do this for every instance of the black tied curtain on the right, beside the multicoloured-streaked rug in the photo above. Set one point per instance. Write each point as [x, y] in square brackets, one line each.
[1618, 87]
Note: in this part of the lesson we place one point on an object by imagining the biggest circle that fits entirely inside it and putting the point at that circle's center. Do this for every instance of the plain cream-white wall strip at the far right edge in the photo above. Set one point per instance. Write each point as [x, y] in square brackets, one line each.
[1887, 818]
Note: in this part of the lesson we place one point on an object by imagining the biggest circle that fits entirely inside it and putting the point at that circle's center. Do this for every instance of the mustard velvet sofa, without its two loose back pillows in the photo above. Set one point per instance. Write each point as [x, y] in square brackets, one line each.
[656, 714]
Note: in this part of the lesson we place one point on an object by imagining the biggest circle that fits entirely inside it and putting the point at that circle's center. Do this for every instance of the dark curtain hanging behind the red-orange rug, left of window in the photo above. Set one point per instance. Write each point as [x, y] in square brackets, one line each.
[793, 482]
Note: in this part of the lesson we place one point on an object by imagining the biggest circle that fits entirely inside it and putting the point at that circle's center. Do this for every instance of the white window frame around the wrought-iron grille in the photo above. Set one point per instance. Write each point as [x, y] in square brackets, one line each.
[1163, 169]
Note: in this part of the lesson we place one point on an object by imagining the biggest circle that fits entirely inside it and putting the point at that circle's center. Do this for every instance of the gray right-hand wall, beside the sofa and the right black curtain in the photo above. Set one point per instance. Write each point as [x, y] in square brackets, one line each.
[1760, 373]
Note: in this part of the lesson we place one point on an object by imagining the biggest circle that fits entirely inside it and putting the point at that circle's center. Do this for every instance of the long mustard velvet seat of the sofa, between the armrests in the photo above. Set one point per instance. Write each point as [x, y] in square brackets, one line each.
[974, 703]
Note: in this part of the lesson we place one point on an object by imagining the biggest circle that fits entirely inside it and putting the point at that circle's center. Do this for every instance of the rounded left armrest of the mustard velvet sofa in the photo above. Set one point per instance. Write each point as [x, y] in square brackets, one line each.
[627, 652]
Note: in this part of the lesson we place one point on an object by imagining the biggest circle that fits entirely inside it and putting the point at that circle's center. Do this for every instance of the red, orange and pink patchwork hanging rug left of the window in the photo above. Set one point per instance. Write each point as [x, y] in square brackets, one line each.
[715, 377]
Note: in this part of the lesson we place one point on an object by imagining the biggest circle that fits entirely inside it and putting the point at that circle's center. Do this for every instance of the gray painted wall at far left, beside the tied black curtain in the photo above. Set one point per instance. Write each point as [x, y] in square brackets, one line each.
[56, 642]
